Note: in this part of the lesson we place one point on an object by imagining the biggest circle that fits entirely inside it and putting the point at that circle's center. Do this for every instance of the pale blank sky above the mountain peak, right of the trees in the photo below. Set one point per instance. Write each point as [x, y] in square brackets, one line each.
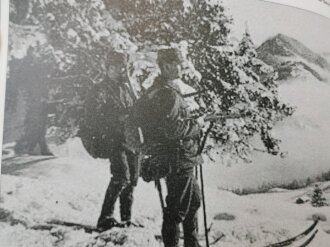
[266, 19]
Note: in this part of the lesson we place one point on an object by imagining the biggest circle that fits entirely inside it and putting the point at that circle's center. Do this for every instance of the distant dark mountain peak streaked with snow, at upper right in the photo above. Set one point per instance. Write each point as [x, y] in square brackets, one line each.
[291, 58]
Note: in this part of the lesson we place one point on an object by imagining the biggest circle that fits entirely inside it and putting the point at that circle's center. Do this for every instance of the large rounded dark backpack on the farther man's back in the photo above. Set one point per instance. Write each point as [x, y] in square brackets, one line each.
[100, 128]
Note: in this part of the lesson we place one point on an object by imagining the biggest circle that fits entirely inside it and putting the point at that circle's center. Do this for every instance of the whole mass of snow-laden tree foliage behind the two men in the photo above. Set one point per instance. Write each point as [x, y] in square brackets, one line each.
[76, 35]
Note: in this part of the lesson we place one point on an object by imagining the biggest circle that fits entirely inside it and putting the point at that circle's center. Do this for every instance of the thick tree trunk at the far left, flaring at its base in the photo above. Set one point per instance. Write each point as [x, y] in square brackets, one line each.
[30, 76]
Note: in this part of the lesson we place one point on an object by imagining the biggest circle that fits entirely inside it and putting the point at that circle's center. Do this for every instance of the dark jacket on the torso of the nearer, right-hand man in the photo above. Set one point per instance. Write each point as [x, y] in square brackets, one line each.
[167, 123]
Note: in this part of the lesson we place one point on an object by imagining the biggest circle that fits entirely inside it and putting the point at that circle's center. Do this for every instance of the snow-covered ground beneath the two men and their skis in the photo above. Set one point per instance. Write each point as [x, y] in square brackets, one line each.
[72, 189]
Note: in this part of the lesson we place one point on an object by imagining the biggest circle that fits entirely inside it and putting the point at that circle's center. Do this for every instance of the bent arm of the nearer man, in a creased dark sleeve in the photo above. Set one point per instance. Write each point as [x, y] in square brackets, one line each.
[175, 127]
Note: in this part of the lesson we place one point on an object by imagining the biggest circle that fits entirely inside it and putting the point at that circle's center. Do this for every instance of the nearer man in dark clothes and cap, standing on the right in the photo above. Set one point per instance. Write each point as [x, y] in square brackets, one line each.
[178, 139]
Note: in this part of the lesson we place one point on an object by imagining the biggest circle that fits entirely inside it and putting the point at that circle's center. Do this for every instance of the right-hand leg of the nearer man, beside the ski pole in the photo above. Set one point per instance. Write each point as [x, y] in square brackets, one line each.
[190, 223]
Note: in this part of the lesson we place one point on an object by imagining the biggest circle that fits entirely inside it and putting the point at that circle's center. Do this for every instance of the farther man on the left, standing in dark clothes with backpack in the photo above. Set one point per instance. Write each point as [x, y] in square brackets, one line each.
[124, 164]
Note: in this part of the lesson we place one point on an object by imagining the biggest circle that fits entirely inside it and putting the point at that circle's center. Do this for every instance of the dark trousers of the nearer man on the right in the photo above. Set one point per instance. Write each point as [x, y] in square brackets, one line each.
[183, 201]
